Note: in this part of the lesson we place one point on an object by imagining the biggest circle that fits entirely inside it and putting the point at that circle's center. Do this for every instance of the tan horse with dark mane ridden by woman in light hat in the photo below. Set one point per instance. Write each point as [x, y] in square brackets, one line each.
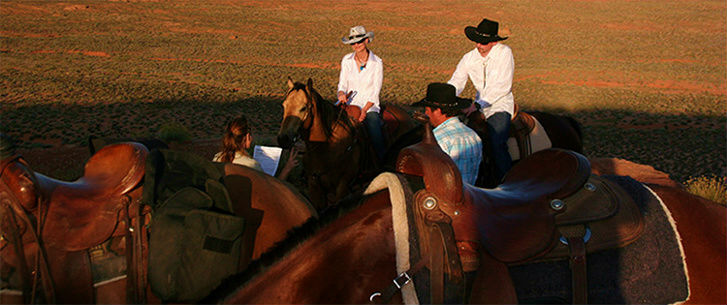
[337, 154]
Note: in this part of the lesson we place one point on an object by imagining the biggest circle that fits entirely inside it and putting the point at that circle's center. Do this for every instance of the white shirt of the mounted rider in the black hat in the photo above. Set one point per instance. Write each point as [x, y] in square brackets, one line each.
[494, 95]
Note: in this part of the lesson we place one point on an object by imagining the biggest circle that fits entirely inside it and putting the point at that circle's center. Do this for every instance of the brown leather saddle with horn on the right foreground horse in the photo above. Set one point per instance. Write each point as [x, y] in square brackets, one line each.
[548, 207]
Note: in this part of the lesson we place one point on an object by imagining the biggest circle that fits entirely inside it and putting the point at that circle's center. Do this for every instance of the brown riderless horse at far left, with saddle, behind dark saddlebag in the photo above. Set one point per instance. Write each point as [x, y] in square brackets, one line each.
[51, 230]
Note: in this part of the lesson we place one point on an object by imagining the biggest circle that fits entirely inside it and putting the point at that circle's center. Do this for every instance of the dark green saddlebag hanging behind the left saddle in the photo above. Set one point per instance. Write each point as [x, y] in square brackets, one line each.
[196, 239]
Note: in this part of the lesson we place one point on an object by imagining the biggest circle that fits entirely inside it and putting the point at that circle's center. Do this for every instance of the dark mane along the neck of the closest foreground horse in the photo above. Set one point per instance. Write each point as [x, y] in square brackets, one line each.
[295, 237]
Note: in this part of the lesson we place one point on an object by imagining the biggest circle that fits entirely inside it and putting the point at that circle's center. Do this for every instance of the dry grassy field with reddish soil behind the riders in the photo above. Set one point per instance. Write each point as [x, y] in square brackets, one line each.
[647, 79]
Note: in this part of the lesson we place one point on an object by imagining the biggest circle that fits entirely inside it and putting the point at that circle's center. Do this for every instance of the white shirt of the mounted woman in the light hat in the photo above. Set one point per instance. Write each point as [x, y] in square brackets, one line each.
[366, 82]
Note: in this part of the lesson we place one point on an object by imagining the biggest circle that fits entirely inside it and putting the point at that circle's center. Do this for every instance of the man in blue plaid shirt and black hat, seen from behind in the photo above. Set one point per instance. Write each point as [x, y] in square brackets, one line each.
[460, 142]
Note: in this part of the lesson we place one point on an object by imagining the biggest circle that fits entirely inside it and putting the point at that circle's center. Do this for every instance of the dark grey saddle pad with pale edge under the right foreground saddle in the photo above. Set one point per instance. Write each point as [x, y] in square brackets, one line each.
[650, 270]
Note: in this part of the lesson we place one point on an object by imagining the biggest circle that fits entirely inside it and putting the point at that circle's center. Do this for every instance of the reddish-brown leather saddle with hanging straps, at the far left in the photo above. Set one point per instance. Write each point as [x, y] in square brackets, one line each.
[66, 218]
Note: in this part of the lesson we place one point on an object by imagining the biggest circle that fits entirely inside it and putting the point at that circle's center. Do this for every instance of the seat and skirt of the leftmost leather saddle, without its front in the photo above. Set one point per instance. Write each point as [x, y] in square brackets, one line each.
[84, 213]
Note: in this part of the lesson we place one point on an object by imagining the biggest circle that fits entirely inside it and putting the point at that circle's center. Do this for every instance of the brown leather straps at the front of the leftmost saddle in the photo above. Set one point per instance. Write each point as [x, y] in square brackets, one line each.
[12, 210]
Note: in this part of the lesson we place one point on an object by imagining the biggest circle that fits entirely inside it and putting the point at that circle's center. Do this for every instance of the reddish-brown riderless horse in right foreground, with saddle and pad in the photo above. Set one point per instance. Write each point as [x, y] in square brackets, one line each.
[354, 257]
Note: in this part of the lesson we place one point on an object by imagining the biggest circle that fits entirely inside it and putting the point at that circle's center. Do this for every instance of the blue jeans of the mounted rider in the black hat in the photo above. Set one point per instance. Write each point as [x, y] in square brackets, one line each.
[498, 126]
